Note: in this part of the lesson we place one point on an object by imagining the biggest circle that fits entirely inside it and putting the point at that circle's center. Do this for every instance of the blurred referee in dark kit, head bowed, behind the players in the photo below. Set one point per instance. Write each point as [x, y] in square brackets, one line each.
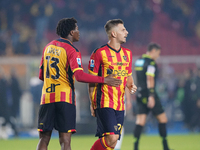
[147, 98]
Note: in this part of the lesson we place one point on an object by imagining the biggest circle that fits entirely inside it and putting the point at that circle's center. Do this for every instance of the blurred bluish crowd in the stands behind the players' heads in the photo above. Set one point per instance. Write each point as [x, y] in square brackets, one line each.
[27, 25]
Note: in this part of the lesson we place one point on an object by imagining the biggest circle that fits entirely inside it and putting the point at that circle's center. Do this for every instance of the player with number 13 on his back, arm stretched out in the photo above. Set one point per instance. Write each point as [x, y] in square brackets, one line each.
[60, 63]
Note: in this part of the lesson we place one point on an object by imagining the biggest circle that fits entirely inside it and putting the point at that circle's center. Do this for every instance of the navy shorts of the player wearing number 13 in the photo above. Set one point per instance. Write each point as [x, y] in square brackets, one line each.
[59, 115]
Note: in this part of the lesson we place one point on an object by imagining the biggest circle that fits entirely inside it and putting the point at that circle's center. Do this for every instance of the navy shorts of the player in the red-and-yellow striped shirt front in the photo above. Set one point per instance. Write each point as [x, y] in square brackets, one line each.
[109, 121]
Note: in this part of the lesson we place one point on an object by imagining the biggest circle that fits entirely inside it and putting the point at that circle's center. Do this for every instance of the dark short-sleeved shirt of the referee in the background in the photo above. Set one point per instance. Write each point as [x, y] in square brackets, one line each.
[144, 66]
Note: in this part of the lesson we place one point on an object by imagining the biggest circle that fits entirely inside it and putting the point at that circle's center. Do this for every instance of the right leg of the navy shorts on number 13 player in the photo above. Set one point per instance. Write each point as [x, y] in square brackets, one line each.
[65, 120]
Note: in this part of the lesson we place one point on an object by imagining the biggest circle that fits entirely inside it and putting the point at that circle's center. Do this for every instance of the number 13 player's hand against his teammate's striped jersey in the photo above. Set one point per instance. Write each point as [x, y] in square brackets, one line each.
[111, 81]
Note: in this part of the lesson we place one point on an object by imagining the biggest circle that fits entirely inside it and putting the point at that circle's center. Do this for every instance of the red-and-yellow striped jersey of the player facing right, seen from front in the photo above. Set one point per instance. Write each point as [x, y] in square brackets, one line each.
[105, 61]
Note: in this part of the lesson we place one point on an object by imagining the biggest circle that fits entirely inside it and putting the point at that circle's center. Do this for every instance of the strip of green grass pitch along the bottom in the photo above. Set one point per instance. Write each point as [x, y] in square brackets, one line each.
[84, 142]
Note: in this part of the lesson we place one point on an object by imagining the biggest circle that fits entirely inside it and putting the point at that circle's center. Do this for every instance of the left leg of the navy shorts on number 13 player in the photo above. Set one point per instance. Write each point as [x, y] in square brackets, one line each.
[46, 117]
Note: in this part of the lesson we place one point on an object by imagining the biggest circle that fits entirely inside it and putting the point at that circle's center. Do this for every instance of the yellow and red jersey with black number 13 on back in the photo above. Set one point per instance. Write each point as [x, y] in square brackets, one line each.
[59, 61]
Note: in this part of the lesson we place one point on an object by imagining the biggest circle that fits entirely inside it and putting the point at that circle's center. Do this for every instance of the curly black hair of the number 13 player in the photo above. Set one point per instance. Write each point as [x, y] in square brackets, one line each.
[64, 27]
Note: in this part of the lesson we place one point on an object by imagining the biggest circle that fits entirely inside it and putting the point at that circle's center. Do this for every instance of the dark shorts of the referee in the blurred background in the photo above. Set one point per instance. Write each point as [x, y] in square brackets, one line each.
[143, 109]
